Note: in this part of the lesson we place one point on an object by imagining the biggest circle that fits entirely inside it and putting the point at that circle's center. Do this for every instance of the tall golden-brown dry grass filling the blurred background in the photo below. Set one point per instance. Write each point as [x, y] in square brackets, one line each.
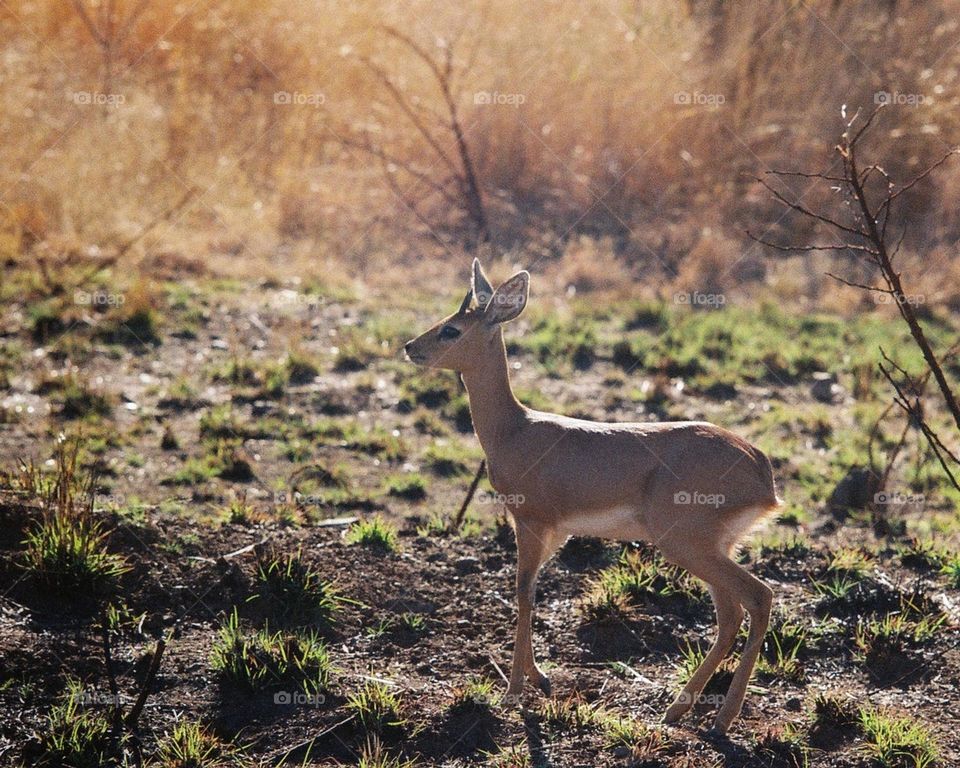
[603, 144]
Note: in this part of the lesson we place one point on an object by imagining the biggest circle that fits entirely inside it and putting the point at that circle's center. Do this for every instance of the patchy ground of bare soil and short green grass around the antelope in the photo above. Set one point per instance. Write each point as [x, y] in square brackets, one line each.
[202, 375]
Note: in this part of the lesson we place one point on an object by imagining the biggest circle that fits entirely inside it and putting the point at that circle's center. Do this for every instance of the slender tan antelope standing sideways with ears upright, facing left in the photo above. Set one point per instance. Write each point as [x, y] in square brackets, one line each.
[691, 488]
